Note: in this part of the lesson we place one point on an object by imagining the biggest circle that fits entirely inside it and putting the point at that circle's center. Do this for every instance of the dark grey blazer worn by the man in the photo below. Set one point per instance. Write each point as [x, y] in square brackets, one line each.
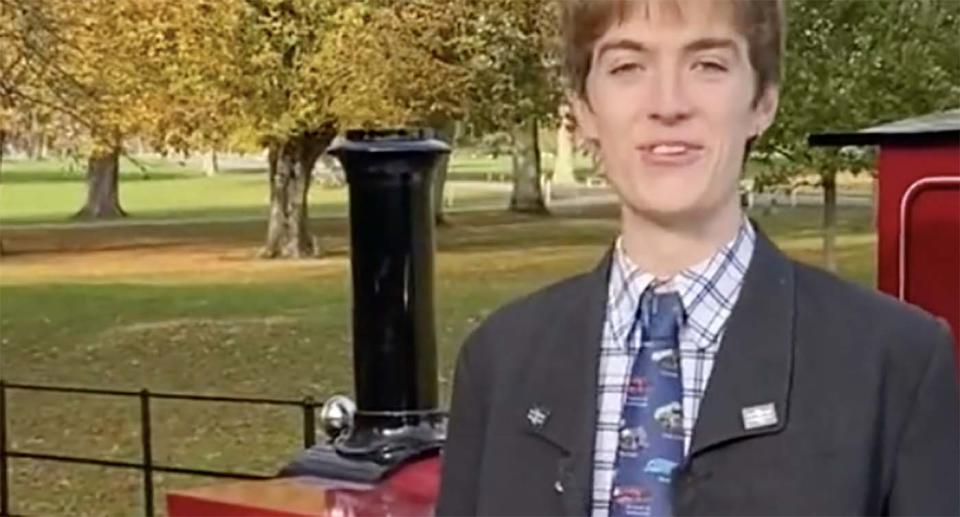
[865, 390]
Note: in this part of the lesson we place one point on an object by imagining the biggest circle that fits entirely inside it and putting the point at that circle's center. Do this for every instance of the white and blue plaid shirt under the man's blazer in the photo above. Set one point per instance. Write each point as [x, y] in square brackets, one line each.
[708, 290]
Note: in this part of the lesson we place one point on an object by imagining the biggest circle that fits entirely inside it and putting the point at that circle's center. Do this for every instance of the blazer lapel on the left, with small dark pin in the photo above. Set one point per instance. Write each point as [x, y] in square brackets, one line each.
[559, 401]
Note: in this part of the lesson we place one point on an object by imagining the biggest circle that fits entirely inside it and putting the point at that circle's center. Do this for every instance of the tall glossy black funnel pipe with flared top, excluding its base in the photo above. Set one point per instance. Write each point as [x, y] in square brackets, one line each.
[390, 177]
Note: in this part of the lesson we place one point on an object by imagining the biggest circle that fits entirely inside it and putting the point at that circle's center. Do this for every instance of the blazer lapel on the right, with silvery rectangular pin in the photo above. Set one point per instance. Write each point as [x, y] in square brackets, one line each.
[749, 387]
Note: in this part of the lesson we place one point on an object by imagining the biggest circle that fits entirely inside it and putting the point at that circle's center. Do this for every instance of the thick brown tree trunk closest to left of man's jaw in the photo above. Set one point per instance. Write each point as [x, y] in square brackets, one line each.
[527, 196]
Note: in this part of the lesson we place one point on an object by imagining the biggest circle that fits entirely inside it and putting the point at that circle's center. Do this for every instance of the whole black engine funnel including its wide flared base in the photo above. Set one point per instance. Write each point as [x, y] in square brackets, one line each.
[390, 178]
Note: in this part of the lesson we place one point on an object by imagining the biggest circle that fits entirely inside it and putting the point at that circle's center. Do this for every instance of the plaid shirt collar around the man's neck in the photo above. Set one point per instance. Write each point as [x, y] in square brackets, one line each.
[708, 289]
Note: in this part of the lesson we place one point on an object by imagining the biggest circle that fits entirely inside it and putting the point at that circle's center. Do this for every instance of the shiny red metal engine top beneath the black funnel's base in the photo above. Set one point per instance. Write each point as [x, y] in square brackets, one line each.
[411, 491]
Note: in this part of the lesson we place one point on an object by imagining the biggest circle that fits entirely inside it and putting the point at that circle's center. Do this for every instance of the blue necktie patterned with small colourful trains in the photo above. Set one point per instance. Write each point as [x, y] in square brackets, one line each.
[651, 426]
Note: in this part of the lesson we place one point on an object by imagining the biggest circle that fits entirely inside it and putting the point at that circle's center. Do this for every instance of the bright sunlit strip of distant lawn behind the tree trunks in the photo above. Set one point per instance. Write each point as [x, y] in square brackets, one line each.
[53, 190]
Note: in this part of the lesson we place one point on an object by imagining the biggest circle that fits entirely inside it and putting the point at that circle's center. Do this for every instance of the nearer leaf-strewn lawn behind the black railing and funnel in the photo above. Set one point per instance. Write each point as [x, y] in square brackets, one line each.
[188, 308]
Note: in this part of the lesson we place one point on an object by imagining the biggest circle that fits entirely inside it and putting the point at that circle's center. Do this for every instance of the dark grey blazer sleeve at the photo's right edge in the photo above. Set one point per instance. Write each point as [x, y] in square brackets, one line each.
[926, 479]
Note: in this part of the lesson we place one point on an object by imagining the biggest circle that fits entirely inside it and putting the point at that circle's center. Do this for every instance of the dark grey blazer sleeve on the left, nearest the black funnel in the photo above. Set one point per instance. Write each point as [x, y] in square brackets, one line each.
[463, 450]
